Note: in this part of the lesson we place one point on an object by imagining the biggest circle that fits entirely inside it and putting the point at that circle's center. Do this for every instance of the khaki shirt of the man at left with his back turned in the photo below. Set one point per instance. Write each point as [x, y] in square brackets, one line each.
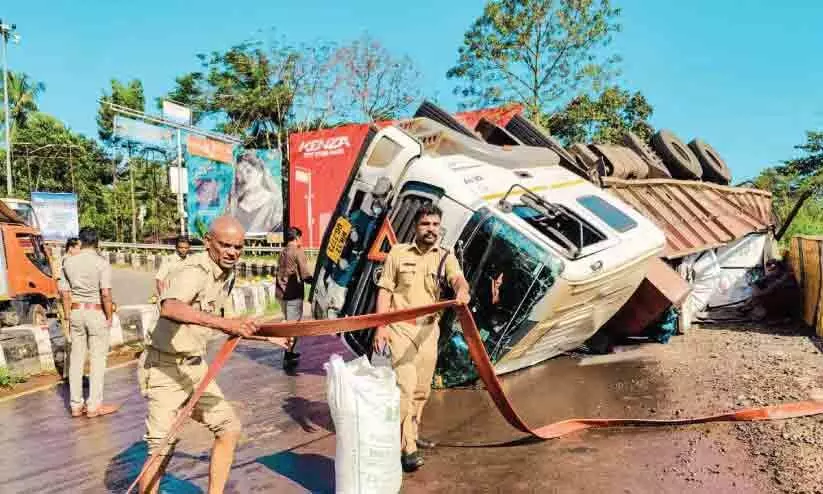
[84, 275]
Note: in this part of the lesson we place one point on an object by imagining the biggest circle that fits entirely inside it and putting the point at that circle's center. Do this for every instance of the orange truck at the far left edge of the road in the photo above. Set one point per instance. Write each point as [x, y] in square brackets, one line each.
[28, 288]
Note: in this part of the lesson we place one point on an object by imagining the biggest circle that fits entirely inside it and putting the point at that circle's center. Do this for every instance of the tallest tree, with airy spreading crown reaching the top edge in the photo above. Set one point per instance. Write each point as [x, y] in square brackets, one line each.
[535, 52]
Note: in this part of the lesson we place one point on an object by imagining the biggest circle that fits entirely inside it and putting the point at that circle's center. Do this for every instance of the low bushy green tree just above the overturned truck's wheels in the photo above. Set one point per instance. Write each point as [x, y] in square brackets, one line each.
[602, 119]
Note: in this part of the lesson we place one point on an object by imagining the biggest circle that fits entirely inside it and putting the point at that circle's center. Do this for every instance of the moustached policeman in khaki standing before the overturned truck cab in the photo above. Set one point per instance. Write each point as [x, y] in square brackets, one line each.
[411, 279]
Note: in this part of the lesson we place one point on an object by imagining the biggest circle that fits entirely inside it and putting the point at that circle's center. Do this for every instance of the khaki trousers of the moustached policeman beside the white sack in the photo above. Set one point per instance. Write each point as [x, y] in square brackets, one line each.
[414, 356]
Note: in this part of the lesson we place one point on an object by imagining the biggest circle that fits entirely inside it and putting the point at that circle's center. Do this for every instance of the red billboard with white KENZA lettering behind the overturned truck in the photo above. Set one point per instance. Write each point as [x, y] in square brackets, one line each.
[319, 165]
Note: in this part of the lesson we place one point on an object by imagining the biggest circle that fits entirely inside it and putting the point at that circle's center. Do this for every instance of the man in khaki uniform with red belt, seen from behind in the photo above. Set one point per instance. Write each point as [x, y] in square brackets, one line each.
[85, 288]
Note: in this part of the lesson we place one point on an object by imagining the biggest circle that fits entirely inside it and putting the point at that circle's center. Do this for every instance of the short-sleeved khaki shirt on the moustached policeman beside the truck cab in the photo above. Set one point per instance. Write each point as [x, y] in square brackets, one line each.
[411, 277]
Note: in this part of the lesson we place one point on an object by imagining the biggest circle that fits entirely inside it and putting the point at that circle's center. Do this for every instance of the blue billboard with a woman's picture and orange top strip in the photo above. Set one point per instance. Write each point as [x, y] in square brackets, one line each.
[227, 179]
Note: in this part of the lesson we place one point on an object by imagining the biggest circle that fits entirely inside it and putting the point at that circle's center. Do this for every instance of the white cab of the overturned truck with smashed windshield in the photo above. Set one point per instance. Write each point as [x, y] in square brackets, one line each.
[562, 255]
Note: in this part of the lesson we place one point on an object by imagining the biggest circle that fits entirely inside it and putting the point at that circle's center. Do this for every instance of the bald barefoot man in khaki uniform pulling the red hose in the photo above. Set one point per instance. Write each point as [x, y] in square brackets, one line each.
[191, 310]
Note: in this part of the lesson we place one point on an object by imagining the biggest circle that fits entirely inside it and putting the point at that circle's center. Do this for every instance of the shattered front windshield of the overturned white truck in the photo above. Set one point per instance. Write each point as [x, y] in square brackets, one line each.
[508, 275]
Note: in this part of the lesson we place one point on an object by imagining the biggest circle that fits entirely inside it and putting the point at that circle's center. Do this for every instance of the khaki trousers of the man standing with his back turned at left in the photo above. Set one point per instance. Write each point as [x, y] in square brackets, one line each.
[88, 331]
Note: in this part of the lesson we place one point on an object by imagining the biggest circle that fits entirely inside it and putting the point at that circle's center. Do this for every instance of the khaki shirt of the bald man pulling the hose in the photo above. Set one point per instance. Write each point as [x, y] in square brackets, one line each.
[201, 283]
